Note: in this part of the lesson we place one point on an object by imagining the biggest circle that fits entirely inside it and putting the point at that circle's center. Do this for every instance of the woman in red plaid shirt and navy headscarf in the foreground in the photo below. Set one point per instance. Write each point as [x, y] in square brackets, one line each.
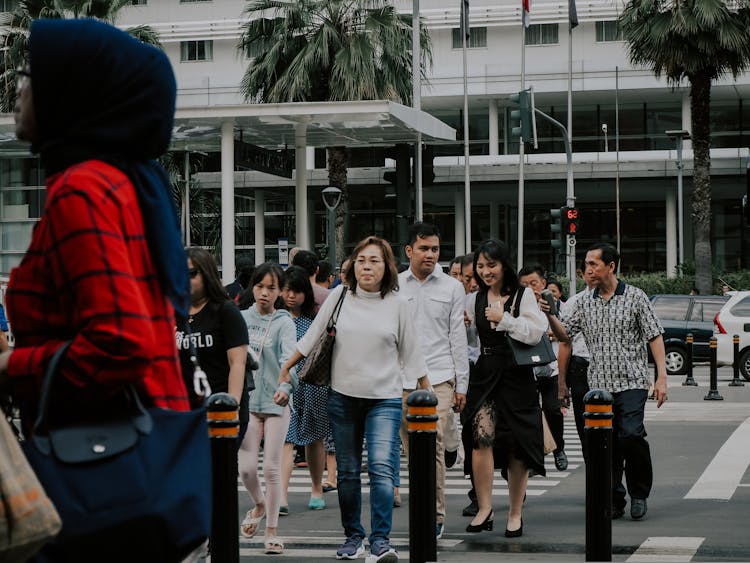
[106, 267]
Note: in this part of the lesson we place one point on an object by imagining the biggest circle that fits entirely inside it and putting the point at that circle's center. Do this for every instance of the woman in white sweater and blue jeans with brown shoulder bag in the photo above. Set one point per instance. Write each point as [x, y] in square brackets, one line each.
[375, 341]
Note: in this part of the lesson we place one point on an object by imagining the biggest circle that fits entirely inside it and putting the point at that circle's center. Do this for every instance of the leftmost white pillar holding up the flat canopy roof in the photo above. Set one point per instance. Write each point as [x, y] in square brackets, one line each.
[227, 201]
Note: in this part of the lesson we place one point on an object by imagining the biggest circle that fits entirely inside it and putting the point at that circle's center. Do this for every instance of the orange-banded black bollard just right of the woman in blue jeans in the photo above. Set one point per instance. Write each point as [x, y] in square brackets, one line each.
[422, 419]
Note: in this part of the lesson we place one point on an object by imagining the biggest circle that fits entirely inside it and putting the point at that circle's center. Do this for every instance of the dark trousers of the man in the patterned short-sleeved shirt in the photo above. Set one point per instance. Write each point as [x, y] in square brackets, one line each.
[630, 450]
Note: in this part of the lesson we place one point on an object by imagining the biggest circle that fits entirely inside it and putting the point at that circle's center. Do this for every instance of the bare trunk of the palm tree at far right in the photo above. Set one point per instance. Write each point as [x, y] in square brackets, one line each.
[700, 97]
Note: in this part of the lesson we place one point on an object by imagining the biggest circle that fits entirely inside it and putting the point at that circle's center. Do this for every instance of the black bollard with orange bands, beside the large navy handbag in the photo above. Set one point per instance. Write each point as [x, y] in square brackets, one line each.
[223, 429]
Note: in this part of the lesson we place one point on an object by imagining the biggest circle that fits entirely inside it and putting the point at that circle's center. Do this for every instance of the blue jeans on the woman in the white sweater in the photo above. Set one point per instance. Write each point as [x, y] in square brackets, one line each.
[378, 421]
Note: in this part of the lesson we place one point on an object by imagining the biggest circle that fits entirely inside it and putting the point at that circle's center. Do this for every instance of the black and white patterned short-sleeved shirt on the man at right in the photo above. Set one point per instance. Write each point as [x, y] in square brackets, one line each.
[617, 332]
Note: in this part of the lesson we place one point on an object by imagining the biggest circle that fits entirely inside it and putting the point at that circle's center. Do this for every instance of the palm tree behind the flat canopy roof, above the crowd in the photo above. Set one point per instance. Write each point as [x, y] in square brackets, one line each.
[329, 50]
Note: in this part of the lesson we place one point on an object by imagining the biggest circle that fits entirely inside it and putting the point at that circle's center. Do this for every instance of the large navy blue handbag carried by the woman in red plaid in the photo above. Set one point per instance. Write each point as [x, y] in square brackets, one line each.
[133, 488]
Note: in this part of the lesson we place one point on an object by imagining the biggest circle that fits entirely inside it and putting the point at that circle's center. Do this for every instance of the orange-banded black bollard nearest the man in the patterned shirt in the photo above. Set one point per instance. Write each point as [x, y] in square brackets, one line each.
[598, 436]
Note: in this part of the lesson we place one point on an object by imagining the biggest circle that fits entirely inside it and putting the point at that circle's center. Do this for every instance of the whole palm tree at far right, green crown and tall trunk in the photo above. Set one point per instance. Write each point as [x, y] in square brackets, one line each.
[701, 41]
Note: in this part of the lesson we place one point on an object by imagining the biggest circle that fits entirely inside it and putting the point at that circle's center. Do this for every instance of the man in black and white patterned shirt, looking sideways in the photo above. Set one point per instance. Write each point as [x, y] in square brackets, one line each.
[617, 321]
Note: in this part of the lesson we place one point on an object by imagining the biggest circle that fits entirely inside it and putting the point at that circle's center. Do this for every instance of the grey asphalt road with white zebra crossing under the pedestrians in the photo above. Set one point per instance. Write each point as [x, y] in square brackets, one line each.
[686, 436]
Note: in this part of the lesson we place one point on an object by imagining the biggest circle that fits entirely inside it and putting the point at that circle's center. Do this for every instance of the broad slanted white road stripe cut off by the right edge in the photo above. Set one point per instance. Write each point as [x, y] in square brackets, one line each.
[722, 476]
